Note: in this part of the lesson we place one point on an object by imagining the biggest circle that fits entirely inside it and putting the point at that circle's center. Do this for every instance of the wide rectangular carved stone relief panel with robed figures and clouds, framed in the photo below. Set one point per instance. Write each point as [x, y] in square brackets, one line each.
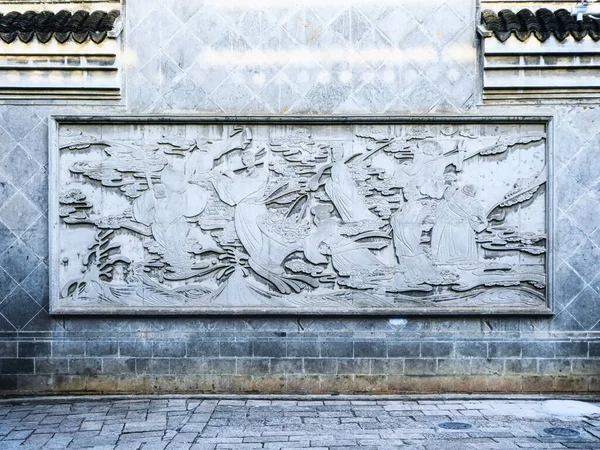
[299, 215]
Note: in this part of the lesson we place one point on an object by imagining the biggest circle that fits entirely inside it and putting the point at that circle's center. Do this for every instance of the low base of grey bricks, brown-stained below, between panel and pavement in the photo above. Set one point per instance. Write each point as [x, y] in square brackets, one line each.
[235, 361]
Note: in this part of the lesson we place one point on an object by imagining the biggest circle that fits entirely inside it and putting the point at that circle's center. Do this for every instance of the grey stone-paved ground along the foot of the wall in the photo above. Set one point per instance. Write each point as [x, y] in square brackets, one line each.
[157, 423]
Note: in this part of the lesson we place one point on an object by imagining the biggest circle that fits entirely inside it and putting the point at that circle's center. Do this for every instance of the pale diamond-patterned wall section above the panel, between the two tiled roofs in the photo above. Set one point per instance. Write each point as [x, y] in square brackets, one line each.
[330, 56]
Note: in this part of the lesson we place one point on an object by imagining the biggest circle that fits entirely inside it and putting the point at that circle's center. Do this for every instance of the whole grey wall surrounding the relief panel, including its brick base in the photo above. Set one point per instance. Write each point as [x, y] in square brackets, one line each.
[329, 57]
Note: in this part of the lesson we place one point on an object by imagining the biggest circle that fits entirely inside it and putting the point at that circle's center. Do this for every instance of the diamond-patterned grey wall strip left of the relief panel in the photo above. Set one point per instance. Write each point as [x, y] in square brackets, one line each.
[23, 221]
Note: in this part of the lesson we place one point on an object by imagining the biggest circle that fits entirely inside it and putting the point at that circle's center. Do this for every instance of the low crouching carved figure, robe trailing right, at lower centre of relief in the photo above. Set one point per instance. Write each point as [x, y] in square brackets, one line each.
[348, 257]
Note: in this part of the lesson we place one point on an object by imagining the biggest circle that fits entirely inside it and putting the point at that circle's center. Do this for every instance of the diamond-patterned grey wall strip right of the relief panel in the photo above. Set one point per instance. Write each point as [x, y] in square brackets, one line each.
[577, 234]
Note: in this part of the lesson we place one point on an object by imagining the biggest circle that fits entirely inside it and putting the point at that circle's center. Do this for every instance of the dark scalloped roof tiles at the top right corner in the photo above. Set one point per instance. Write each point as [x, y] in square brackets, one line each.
[542, 23]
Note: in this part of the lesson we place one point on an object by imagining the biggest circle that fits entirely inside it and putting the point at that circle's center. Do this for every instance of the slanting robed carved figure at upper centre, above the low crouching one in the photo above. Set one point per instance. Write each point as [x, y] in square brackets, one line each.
[343, 192]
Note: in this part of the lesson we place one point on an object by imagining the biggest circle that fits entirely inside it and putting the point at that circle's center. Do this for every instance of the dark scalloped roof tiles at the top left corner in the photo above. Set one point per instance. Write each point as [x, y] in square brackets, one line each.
[62, 25]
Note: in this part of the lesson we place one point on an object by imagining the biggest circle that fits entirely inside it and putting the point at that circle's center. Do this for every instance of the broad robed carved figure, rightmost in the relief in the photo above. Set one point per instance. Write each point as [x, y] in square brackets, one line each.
[459, 217]
